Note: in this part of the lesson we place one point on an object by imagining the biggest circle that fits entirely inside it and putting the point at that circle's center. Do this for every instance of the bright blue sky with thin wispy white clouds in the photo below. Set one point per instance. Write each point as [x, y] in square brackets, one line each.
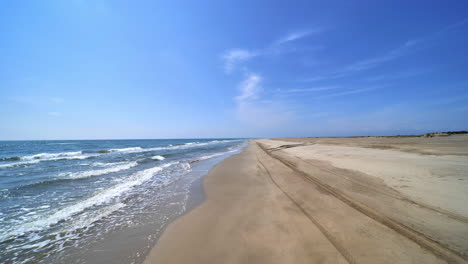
[86, 69]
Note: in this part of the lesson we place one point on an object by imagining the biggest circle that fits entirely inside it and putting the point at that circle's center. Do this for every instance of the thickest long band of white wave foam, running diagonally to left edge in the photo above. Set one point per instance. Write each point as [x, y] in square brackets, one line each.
[102, 197]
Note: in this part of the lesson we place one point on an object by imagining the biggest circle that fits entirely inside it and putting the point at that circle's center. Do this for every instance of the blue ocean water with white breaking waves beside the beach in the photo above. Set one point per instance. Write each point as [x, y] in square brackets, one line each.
[76, 201]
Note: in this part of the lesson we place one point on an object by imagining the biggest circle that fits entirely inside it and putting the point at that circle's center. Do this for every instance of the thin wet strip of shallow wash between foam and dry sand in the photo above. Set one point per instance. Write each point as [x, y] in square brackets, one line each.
[189, 194]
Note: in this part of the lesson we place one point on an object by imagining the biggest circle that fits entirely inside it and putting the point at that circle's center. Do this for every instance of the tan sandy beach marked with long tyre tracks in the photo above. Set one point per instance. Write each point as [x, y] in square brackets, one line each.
[329, 200]
